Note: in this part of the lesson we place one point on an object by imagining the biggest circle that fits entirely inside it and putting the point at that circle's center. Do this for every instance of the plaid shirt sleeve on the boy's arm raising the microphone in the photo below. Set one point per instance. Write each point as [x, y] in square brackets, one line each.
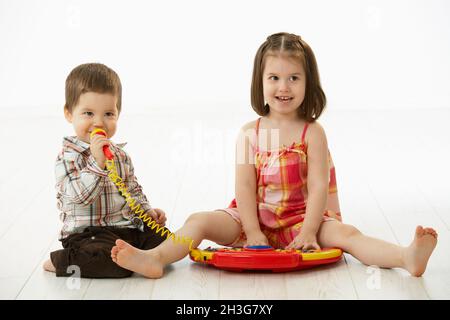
[78, 180]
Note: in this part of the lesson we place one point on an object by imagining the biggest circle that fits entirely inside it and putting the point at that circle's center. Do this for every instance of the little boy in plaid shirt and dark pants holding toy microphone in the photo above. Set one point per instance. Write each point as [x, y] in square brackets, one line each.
[93, 212]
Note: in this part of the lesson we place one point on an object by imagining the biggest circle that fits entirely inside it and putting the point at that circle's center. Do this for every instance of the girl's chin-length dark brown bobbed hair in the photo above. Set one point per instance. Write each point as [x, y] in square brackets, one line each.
[293, 46]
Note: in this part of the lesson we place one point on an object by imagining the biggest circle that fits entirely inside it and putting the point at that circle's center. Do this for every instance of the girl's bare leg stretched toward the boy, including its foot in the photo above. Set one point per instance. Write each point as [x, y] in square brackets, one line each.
[216, 226]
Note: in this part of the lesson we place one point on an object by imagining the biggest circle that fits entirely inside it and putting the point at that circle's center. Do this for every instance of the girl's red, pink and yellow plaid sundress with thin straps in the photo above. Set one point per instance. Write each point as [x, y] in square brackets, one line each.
[282, 192]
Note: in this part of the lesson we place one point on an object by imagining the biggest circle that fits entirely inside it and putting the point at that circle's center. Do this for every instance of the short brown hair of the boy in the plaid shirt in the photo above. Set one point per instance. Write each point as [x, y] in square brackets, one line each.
[92, 77]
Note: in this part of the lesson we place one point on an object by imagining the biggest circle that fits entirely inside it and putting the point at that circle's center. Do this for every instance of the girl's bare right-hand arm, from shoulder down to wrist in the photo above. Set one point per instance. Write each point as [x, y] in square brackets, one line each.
[318, 179]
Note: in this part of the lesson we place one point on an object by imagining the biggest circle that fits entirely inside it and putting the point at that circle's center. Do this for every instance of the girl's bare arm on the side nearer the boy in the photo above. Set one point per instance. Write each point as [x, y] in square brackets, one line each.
[246, 185]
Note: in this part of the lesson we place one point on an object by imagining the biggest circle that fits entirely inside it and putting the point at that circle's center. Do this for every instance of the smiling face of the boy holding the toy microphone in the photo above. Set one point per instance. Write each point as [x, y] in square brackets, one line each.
[94, 110]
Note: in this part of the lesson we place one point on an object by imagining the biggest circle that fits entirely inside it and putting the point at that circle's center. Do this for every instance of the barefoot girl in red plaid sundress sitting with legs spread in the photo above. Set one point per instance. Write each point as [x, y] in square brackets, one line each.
[287, 196]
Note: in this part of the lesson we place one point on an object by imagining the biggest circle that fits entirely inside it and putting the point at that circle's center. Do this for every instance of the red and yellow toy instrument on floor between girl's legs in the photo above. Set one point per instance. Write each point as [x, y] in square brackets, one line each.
[264, 258]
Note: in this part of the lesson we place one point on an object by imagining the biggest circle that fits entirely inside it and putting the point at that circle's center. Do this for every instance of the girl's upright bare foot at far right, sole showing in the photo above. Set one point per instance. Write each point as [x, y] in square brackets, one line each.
[419, 251]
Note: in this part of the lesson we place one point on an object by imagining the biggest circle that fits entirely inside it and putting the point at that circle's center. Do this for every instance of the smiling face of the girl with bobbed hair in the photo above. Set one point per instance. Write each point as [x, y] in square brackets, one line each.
[284, 84]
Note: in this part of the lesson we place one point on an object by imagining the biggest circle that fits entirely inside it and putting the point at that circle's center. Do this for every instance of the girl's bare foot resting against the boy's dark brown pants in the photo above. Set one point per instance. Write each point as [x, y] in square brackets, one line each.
[145, 262]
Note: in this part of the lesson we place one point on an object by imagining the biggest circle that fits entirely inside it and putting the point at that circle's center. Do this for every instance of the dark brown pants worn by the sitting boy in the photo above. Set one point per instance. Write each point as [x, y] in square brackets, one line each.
[90, 251]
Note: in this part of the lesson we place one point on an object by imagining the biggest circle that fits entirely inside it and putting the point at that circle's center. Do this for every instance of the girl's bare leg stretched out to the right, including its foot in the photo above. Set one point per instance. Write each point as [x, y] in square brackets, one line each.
[371, 251]
